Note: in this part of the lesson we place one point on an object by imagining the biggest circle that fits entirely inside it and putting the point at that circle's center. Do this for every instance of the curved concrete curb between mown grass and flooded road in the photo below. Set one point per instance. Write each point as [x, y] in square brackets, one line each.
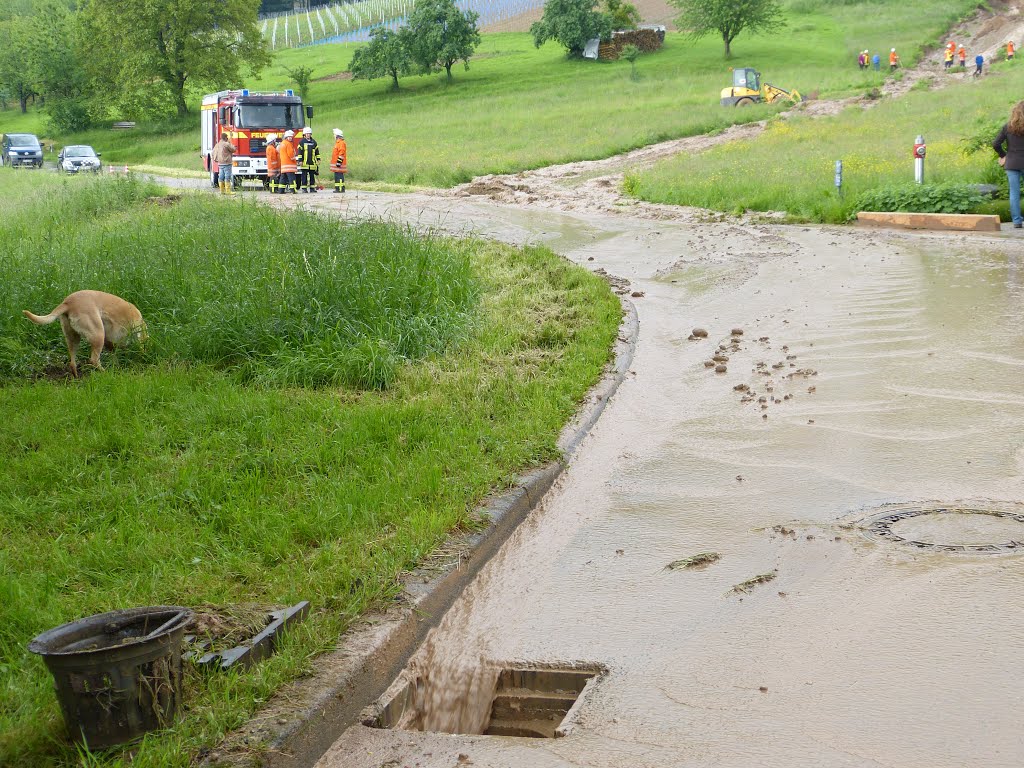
[305, 719]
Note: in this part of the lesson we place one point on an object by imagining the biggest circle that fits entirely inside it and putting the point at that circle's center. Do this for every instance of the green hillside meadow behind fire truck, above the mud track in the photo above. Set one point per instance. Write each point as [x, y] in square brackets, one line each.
[521, 108]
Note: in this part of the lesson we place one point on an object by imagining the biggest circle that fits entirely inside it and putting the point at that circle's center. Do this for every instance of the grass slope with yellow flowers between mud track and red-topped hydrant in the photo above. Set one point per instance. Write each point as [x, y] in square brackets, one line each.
[796, 158]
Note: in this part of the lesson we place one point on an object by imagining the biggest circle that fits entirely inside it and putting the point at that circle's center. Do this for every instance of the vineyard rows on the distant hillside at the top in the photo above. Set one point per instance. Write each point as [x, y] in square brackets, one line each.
[345, 23]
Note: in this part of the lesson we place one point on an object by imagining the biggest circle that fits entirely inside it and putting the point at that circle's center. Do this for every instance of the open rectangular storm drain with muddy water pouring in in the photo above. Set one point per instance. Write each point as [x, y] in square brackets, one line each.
[530, 703]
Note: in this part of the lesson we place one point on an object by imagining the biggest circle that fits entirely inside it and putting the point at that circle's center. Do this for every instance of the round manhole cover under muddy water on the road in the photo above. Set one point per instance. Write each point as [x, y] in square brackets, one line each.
[951, 529]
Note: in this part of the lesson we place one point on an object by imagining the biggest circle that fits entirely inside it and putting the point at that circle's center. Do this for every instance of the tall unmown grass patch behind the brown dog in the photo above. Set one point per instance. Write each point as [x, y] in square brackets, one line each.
[285, 298]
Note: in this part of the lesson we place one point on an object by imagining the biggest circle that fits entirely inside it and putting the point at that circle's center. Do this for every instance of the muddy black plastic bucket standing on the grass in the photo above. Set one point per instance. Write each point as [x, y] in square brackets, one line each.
[117, 675]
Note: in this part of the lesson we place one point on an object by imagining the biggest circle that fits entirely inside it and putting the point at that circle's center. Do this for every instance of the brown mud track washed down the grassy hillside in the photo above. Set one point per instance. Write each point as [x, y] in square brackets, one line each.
[595, 186]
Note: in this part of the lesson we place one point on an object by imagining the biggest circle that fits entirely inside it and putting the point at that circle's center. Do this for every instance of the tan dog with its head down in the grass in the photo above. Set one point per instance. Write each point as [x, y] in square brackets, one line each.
[105, 320]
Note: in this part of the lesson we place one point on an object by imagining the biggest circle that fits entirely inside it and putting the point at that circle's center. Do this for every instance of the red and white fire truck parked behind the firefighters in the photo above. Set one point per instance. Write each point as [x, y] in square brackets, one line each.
[248, 118]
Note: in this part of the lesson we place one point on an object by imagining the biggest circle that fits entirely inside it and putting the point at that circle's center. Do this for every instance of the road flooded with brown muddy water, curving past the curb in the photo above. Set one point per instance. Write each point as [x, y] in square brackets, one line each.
[856, 473]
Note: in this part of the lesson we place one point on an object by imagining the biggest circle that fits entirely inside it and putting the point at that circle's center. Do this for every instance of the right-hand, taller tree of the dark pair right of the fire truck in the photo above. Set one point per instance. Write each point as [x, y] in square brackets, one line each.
[440, 35]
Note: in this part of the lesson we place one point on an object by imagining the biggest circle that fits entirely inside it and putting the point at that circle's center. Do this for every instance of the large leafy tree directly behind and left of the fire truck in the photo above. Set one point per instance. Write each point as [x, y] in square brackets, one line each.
[174, 46]
